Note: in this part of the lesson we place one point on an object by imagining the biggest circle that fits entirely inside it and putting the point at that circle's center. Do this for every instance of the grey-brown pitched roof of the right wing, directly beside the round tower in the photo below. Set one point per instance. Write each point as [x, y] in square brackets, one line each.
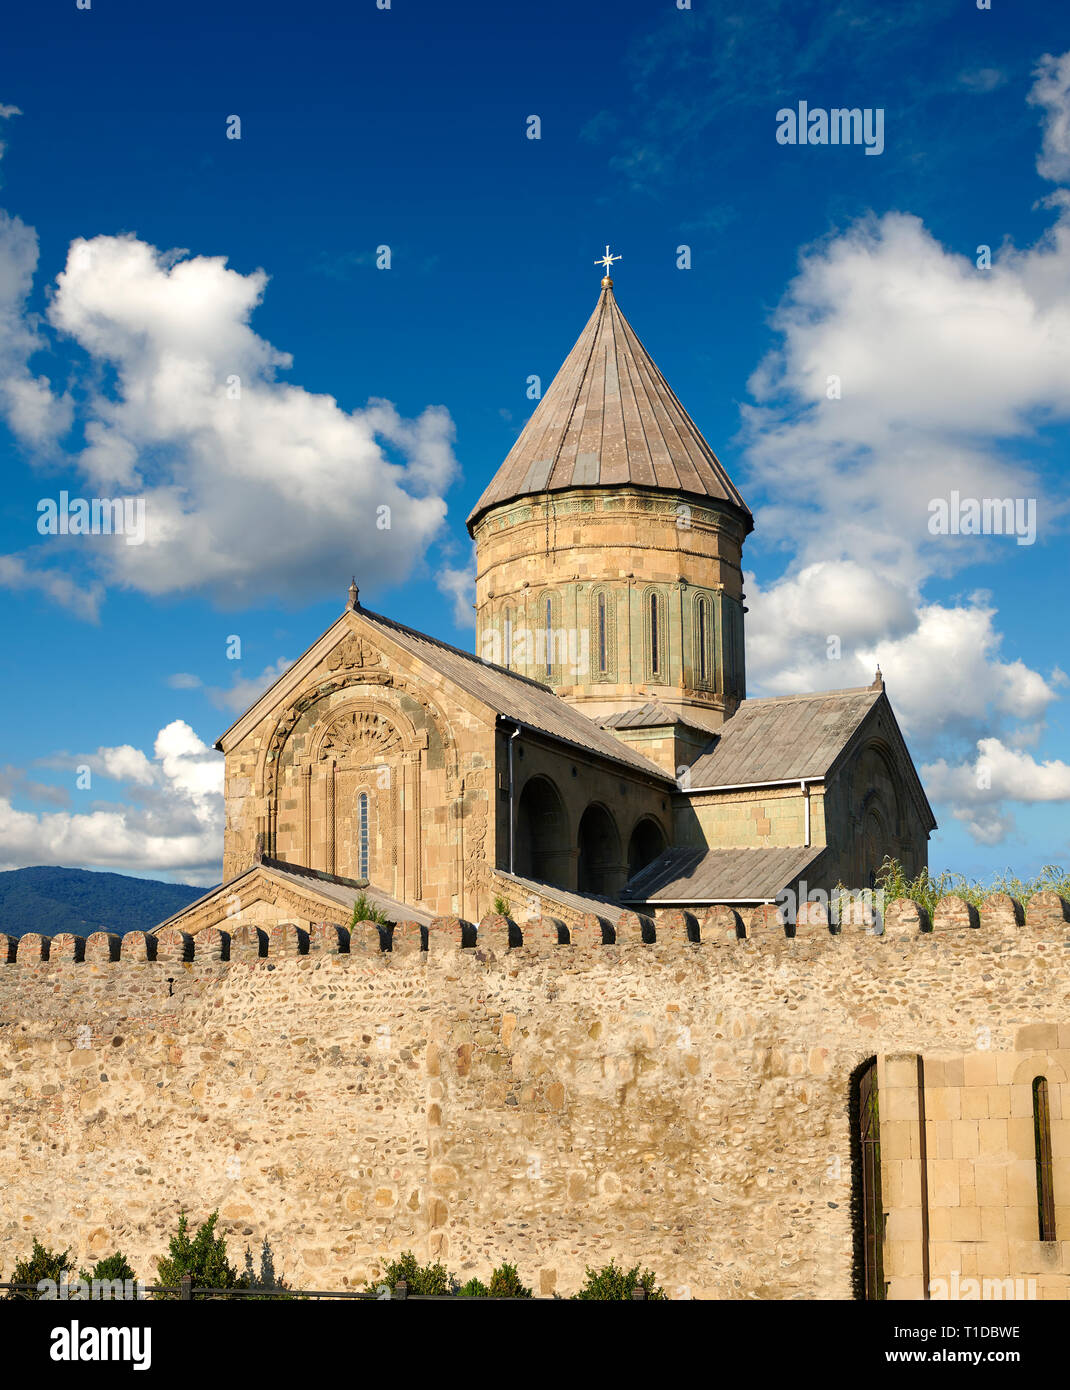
[784, 739]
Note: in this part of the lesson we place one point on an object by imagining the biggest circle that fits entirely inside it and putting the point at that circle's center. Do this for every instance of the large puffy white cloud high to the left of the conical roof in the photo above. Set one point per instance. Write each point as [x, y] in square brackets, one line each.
[245, 498]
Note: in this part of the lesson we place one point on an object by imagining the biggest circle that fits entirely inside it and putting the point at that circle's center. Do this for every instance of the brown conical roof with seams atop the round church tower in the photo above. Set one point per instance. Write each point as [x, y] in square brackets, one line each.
[609, 419]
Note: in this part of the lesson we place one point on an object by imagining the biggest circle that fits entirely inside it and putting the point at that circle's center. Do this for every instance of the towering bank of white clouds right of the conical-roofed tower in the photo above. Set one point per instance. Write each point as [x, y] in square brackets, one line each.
[904, 373]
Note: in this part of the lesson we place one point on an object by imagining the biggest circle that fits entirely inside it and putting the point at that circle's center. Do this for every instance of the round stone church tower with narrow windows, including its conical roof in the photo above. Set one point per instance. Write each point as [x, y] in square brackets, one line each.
[609, 544]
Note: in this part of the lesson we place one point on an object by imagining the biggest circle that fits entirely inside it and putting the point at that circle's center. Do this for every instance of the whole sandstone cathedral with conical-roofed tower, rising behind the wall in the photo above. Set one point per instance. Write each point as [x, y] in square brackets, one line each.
[598, 753]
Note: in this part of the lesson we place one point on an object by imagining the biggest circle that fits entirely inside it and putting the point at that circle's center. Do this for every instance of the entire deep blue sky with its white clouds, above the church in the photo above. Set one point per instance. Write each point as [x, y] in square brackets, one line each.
[147, 259]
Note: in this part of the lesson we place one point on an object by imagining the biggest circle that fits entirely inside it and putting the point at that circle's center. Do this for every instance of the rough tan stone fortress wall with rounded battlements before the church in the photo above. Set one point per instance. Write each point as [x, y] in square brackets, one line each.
[675, 1103]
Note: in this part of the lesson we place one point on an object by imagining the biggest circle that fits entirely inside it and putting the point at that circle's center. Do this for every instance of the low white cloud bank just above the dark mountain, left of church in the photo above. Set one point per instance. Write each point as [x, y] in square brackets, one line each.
[172, 821]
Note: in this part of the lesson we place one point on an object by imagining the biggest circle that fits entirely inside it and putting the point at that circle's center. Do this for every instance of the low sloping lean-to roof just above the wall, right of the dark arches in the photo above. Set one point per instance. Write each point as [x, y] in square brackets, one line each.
[701, 876]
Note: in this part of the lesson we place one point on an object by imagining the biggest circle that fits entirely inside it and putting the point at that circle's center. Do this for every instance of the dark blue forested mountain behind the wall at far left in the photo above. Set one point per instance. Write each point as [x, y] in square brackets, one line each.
[55, 900]
